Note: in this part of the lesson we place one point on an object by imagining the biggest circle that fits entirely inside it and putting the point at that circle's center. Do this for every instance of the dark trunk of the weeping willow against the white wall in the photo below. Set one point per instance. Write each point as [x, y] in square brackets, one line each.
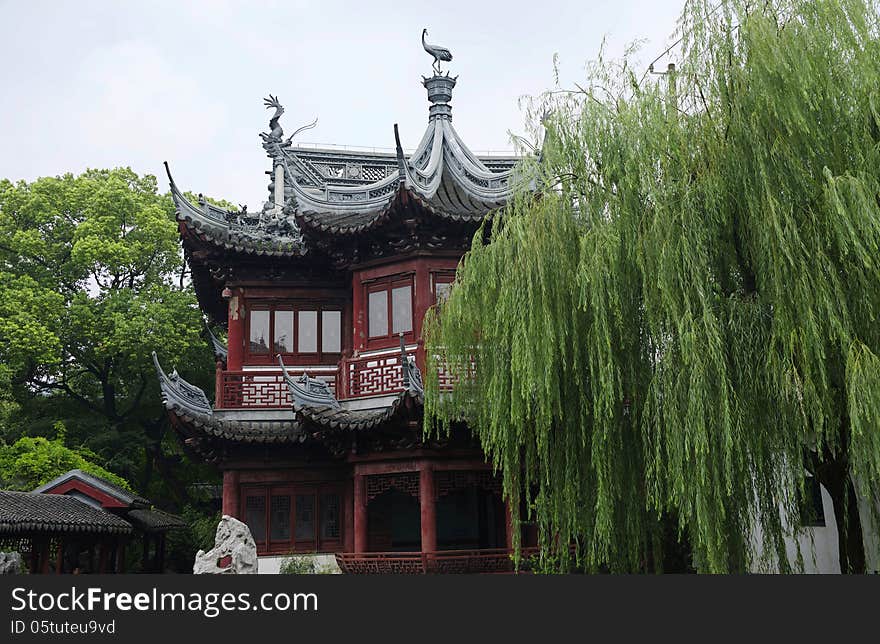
[851, 548]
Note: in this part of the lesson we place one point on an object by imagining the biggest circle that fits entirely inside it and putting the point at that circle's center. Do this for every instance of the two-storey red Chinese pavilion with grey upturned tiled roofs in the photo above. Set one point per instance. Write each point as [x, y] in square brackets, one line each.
[316, 422]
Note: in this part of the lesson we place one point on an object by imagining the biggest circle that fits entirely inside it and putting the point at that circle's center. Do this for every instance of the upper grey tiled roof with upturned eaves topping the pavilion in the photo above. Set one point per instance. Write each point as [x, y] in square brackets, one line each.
[342, 192]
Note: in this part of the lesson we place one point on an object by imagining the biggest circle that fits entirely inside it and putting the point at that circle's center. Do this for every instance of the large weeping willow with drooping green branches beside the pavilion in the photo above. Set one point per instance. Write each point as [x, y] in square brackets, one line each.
[680, 317]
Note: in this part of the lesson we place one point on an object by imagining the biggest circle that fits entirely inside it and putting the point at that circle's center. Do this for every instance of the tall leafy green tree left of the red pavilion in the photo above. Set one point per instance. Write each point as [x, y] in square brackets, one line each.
[91, 282]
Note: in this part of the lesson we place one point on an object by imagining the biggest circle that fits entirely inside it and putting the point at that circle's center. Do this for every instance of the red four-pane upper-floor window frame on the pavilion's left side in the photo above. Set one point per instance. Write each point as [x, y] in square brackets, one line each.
[295, 357]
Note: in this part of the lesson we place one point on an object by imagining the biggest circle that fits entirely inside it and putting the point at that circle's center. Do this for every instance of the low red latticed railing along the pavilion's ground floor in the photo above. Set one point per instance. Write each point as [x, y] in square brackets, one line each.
[440, 561]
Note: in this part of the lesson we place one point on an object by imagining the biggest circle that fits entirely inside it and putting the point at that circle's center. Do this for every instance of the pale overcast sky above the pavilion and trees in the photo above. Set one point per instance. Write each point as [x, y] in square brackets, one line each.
[104, 84]
